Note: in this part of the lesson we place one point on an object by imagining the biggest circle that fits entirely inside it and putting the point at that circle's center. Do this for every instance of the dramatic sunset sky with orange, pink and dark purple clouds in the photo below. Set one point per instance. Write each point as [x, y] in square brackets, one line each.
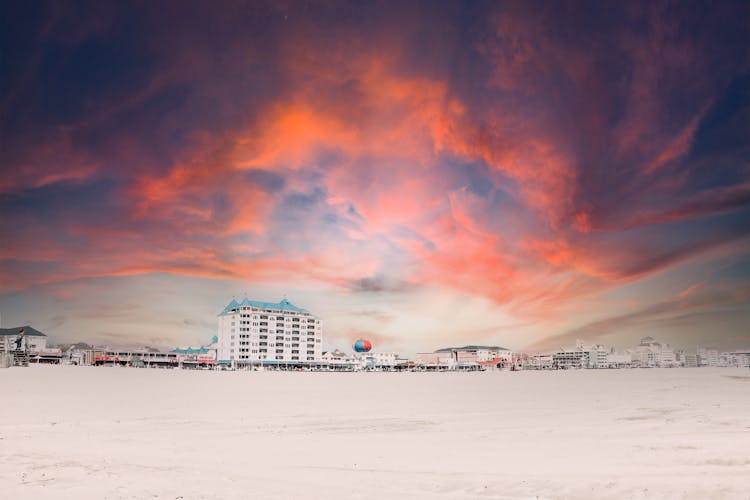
[421, 174]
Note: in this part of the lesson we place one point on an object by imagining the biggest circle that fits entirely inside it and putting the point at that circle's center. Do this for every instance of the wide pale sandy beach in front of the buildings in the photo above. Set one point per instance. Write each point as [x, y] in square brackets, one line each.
[86, 432]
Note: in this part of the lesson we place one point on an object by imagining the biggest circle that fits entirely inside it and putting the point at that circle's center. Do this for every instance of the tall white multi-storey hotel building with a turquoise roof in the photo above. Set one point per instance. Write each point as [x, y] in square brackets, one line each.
[257, 333]
